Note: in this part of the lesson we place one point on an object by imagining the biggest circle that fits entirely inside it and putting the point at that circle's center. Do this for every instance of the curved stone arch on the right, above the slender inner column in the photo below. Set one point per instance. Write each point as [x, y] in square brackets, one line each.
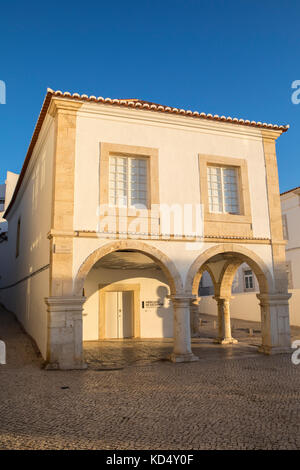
[260, 269]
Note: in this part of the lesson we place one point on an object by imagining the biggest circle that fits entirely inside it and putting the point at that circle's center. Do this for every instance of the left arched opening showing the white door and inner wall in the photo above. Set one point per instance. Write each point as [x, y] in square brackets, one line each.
[127, 297]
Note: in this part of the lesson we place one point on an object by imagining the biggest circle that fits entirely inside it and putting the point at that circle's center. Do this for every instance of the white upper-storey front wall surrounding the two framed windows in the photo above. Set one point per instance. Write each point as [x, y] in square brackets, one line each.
[179, 141]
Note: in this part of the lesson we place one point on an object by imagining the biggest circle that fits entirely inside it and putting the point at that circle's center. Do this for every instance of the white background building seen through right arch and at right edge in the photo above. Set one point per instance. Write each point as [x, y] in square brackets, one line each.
[245, 285]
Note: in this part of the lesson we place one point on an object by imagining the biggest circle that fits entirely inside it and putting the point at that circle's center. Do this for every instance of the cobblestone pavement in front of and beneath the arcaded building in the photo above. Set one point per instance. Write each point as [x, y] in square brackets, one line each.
[233, 398]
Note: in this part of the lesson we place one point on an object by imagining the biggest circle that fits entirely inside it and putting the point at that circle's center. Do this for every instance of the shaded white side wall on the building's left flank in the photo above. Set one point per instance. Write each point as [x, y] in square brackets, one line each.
[33, 206]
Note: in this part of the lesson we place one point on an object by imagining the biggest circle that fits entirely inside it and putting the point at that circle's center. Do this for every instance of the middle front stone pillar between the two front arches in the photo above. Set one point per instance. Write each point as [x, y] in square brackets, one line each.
[182, 351]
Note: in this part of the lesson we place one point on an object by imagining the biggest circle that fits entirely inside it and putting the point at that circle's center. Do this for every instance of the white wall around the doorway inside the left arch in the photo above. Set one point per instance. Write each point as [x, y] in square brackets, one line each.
[155, 322]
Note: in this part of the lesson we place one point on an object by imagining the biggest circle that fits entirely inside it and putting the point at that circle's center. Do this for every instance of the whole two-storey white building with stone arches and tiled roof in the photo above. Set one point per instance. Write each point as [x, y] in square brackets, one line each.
[90, 253]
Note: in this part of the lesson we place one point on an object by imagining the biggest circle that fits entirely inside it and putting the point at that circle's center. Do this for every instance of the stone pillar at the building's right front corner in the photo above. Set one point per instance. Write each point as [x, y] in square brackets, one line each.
[275, 326]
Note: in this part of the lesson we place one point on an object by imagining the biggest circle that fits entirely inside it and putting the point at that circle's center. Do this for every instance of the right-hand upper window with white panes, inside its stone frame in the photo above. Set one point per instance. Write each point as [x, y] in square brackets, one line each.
[223, 189]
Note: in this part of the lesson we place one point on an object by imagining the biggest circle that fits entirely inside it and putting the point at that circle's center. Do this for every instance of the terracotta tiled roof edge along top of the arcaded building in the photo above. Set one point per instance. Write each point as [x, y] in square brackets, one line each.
[127, 103]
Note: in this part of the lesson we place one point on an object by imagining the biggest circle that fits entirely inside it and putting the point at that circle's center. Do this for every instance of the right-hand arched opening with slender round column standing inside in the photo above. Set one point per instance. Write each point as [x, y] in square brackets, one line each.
[228, 282]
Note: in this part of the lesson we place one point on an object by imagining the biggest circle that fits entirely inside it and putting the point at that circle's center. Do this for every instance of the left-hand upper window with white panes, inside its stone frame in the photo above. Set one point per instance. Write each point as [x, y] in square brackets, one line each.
[128, 181]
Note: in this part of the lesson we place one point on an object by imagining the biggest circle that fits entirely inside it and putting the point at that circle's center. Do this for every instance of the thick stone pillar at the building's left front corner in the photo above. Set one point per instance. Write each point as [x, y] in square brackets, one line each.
[65, 333]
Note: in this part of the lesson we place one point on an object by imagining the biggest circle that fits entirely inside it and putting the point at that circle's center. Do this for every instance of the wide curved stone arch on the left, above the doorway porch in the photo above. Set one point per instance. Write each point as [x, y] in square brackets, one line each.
[165, 263]
